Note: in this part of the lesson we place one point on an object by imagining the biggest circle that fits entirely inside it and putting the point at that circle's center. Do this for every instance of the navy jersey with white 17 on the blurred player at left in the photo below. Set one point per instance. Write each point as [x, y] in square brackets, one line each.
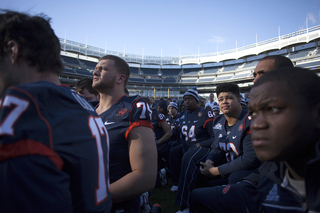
[53, 152]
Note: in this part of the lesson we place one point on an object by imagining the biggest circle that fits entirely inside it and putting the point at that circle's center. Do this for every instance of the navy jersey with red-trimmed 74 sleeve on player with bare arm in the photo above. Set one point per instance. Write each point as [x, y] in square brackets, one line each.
[119, 119]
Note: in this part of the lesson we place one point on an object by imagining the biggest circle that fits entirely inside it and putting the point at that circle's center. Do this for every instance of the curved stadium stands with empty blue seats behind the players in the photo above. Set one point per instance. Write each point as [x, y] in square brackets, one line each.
[171, 76]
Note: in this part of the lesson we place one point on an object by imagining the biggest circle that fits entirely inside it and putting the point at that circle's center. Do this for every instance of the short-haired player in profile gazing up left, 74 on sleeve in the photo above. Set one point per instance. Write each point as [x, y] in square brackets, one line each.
[133, 154]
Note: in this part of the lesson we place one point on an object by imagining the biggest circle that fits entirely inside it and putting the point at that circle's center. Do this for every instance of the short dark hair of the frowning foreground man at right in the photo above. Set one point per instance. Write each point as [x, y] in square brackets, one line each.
[301, 81]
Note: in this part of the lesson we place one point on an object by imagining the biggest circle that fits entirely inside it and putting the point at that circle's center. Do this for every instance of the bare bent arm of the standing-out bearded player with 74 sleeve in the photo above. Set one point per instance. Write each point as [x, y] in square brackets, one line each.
[143, 160]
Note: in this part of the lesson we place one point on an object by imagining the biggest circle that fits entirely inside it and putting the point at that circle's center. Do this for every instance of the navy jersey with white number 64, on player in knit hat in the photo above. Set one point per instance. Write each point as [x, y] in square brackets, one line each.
[196, 127]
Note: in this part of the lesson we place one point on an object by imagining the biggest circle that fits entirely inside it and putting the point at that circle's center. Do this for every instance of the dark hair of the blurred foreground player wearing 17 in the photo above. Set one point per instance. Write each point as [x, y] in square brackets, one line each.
[38, 45]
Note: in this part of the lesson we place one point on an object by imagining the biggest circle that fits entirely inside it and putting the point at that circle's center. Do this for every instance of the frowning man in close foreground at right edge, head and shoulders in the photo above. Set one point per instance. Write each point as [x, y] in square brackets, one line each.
[285, 109]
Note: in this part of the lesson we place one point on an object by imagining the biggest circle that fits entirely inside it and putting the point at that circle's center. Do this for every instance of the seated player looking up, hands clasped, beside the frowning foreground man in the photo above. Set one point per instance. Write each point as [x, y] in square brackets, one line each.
[231, 155]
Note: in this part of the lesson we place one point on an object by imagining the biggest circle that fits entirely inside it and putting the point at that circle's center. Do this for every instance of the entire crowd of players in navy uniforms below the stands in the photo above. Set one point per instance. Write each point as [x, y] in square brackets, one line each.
[98, 149]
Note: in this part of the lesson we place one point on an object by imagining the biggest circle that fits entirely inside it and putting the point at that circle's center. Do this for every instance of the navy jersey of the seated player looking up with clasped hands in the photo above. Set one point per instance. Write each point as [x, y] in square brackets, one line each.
[232, 145]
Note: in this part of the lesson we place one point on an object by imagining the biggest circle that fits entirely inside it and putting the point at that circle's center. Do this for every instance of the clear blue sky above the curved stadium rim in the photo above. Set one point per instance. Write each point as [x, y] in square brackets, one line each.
[171, 27]
